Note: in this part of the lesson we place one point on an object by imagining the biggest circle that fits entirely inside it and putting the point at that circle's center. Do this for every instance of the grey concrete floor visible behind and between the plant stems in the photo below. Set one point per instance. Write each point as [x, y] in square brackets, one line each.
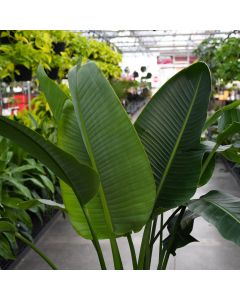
[71, 252]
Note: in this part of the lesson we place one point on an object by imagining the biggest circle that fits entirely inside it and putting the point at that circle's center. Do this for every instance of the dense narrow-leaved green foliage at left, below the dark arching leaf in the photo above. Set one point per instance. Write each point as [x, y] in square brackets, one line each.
[23, 183]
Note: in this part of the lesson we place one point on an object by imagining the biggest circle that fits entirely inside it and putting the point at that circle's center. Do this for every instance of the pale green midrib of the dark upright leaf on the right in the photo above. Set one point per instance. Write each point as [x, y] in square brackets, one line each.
[178, 141]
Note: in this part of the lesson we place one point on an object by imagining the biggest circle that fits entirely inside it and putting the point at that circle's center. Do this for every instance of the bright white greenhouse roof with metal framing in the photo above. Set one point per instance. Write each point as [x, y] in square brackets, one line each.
[164, 42]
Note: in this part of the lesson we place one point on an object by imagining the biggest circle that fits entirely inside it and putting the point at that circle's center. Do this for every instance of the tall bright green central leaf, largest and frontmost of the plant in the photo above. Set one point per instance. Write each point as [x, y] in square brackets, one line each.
[127, 190]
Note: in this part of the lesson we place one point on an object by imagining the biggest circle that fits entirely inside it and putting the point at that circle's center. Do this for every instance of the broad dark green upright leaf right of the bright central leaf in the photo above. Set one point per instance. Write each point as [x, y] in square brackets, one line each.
[170, 128]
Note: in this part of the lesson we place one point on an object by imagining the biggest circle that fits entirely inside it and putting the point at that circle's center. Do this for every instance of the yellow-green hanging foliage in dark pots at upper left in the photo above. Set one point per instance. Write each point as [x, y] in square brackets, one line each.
[28, 48]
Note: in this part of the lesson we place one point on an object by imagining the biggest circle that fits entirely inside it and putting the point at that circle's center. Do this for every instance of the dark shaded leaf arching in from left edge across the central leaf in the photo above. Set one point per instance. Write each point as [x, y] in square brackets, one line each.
[82, 178]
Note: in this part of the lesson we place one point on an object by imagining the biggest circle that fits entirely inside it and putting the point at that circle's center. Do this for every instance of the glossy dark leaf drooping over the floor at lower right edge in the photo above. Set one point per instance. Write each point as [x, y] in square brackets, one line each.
[221, 210]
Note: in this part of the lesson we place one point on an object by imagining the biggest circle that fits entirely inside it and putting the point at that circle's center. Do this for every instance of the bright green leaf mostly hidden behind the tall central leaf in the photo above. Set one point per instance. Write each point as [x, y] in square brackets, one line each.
[69, 139]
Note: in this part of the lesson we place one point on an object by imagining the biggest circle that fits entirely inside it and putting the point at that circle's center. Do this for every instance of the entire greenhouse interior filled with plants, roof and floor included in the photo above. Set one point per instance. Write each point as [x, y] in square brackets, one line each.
[119, 150]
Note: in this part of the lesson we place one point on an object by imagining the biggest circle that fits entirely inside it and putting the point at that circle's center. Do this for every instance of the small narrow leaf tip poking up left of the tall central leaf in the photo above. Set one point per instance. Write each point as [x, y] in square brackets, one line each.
[55, 96]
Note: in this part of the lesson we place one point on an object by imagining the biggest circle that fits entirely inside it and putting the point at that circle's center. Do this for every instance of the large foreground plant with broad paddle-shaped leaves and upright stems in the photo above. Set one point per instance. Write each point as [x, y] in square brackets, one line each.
[117, 178]
